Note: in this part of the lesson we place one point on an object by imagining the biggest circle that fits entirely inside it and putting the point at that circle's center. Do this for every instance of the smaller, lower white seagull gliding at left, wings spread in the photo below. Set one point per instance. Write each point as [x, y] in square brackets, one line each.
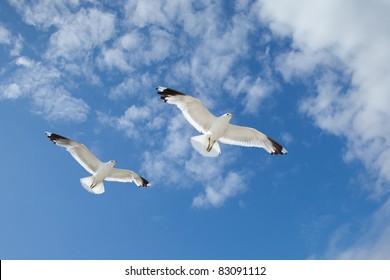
[100, 170]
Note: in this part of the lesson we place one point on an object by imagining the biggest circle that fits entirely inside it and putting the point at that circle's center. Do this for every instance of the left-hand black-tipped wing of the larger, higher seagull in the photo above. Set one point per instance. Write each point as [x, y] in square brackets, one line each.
[193, 110]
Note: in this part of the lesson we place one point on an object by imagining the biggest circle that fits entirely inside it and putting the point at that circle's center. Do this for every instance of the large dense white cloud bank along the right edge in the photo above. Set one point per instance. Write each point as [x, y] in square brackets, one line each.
[342, 47]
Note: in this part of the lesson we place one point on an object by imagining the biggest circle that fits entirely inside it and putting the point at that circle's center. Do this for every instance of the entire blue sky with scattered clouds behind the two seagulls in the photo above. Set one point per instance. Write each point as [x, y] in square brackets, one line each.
[311, 74]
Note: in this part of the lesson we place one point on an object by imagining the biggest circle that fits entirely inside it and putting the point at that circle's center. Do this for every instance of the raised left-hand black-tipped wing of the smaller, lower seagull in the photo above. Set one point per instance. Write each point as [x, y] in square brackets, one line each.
[78, 151]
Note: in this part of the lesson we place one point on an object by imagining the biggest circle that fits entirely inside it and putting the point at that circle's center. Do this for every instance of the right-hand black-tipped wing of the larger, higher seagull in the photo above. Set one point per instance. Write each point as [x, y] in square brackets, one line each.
[250, 137]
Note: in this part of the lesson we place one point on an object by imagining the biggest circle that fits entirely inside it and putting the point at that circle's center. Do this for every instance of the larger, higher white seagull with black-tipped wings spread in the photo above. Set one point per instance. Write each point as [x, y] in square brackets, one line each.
[216, 129]
